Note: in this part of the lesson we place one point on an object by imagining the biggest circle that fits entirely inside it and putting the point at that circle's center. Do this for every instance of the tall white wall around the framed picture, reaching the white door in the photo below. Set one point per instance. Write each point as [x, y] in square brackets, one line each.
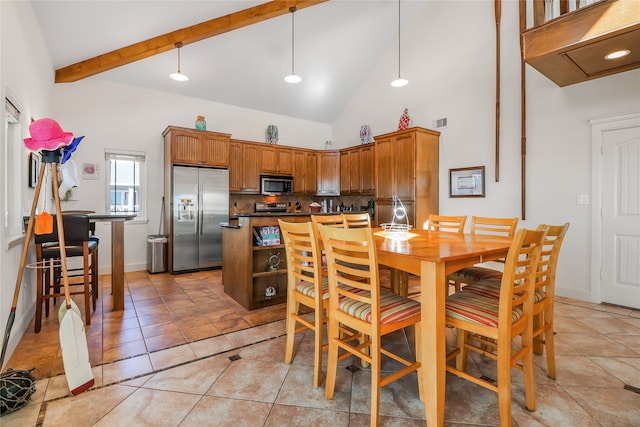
[449, 60]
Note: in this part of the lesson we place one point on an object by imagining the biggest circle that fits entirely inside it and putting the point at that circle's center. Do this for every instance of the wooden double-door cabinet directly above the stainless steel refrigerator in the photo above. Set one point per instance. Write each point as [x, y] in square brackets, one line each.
[200, 148]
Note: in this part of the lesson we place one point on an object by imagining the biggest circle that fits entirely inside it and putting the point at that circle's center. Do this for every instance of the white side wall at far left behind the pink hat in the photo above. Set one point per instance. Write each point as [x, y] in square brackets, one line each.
[27, 77]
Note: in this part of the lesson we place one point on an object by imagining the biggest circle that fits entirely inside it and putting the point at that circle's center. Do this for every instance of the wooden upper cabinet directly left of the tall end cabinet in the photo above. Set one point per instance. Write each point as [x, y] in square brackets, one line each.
[357, 170]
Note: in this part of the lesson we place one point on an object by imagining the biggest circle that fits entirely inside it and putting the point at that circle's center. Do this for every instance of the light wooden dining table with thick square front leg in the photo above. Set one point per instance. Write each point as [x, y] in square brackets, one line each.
[433, 255]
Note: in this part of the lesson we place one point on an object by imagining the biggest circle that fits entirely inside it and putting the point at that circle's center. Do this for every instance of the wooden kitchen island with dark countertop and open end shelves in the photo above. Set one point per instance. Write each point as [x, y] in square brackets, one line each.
[254, 264]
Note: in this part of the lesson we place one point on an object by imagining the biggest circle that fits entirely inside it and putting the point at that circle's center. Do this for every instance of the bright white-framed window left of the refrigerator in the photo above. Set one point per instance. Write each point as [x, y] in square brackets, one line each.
[125, 178]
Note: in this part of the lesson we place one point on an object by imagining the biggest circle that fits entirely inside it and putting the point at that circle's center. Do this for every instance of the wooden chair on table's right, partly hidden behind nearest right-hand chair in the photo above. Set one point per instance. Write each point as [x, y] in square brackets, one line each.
[543, 303]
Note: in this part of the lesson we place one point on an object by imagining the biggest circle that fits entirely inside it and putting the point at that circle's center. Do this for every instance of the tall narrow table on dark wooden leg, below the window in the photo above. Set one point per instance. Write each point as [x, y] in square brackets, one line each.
[117, 221]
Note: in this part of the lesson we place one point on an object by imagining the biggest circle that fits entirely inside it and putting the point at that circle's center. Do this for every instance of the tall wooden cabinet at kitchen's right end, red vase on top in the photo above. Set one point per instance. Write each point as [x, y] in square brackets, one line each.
[406, 165]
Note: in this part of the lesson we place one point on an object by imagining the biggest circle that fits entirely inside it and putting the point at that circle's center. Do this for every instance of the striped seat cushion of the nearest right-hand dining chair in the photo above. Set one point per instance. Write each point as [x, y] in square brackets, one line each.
[476, 308]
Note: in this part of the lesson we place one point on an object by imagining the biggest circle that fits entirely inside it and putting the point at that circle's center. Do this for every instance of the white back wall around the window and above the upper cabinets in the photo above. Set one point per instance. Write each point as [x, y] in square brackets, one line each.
[115, 116]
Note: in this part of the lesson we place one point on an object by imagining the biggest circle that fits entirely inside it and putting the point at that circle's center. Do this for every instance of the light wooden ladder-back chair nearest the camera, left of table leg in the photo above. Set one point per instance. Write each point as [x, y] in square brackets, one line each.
[357, 302]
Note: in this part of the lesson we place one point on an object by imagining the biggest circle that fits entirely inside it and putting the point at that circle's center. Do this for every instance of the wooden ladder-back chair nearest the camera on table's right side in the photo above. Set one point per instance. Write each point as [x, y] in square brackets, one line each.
[489, 326]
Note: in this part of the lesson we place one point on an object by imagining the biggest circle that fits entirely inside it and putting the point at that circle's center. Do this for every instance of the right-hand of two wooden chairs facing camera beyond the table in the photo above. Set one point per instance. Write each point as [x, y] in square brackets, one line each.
[484, 225]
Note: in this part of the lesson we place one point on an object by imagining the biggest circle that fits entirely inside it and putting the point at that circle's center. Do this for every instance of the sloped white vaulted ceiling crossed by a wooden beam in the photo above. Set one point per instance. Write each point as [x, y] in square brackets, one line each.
[336, 44]
